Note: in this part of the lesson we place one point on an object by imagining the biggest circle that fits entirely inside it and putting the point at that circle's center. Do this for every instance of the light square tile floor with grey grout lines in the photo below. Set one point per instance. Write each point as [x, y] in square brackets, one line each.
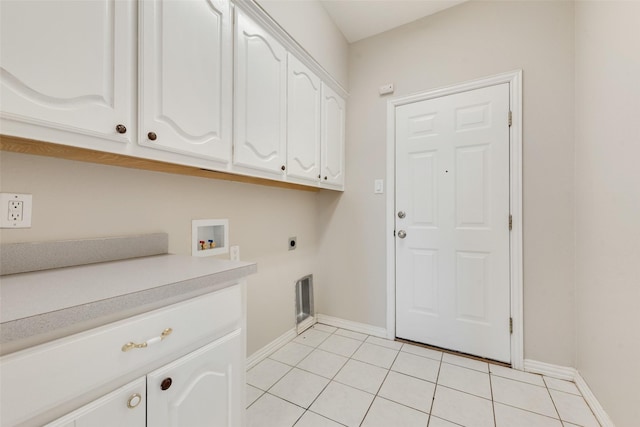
[333, 377]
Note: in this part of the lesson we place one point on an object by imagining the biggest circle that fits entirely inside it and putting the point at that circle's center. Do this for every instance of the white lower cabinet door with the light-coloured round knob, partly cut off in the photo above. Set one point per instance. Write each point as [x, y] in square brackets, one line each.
[124, 407]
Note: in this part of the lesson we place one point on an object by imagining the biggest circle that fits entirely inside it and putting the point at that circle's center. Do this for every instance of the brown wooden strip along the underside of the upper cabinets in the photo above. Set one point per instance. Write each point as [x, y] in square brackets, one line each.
[41, 148]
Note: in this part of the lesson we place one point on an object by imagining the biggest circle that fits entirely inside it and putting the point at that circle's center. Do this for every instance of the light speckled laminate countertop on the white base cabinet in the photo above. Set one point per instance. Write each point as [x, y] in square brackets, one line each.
[53, 303]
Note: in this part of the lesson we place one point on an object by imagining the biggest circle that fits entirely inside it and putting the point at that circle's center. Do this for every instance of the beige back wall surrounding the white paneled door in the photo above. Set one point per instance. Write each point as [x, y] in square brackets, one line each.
[470, 41]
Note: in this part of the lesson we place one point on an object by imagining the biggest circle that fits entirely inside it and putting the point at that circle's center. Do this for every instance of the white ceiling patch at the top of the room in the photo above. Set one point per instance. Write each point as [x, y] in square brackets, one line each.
[359, 19]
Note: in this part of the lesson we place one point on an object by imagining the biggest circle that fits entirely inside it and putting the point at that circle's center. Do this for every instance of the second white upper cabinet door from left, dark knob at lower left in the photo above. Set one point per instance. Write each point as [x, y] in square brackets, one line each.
[185, 77]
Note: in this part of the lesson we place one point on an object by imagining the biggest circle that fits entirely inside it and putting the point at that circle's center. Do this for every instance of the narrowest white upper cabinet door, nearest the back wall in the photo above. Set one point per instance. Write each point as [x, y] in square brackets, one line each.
[333, 127]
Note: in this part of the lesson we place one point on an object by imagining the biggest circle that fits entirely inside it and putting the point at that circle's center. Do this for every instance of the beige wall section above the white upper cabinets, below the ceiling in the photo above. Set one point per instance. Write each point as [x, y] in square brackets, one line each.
[308, 23]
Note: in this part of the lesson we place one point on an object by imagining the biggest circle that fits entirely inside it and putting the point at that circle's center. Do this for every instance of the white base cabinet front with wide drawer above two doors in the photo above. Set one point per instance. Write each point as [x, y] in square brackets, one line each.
[180, 365]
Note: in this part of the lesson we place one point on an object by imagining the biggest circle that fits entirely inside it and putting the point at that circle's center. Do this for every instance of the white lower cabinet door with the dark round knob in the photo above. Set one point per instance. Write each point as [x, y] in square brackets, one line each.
[203, 388]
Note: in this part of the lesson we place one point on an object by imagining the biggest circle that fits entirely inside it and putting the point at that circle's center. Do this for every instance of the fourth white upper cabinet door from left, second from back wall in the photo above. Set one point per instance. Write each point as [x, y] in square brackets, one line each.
[303, 122]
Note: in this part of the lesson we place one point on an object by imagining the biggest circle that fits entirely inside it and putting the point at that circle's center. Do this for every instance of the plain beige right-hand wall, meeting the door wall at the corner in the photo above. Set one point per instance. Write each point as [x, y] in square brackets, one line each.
[608, 204]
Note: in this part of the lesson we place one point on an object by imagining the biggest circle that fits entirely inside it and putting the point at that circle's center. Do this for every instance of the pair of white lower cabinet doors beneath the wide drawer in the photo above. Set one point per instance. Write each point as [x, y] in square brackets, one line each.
[199, 389]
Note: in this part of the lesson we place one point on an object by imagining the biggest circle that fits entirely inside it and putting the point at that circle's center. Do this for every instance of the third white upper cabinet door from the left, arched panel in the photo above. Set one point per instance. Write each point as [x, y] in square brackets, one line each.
[260, 98]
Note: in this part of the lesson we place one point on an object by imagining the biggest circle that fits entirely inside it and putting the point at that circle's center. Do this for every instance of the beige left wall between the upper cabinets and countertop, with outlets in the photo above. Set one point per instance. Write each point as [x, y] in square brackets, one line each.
[81, 200]
